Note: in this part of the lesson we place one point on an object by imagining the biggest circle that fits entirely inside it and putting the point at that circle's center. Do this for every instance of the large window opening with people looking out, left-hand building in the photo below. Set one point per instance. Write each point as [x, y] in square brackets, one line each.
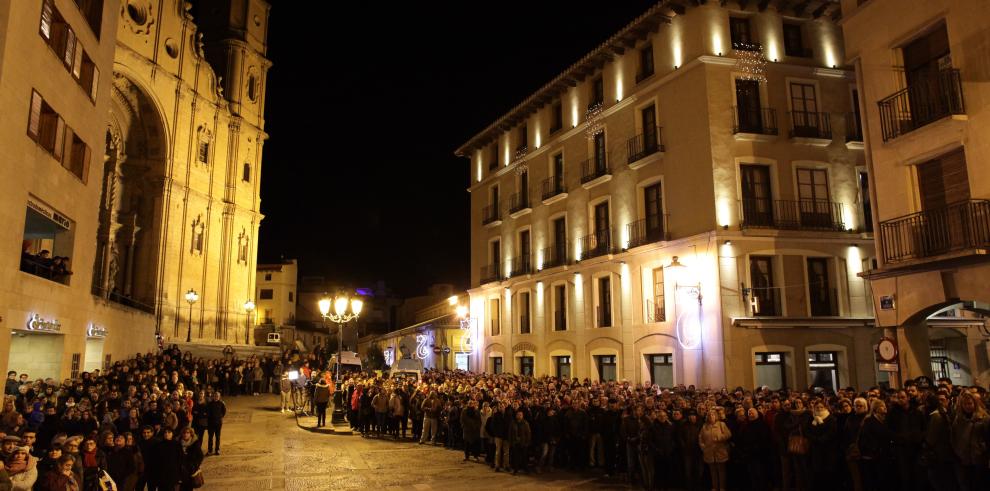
[47, 243]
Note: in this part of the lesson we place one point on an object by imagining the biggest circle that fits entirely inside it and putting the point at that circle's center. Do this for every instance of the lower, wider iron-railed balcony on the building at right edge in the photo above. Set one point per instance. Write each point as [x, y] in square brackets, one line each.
[957, 227]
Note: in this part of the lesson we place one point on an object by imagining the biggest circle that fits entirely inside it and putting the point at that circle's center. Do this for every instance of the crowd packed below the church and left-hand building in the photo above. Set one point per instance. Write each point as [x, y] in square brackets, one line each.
[141, 423]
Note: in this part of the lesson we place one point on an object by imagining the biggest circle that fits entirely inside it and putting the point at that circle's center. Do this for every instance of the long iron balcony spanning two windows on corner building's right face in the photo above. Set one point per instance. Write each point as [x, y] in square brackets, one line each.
[805, 214]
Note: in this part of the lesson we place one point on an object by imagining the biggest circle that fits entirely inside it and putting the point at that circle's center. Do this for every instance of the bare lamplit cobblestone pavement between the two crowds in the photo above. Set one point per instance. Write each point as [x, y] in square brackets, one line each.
[265, 449]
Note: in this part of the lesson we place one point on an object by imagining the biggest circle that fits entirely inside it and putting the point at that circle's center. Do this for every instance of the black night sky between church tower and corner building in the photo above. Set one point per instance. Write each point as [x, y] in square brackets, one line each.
[366, 105]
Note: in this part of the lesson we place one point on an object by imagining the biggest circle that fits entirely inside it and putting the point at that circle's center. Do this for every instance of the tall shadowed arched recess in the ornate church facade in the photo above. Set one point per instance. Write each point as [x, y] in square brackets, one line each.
[128, 242]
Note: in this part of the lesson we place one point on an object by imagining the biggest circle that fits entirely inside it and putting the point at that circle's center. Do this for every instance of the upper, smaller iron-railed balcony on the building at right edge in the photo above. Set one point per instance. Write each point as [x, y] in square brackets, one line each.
[931, 98]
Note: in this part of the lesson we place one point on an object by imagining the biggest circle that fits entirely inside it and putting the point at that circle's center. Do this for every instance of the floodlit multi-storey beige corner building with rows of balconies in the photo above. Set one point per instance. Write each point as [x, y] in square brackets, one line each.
[683, 205]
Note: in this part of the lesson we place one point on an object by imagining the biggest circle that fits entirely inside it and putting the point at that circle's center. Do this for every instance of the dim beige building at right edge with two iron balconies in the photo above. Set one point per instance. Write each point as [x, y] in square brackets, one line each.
[921, 82]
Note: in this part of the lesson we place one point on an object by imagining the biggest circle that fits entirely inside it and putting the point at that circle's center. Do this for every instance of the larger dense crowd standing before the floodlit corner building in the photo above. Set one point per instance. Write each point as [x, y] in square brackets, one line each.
[926, 436]
